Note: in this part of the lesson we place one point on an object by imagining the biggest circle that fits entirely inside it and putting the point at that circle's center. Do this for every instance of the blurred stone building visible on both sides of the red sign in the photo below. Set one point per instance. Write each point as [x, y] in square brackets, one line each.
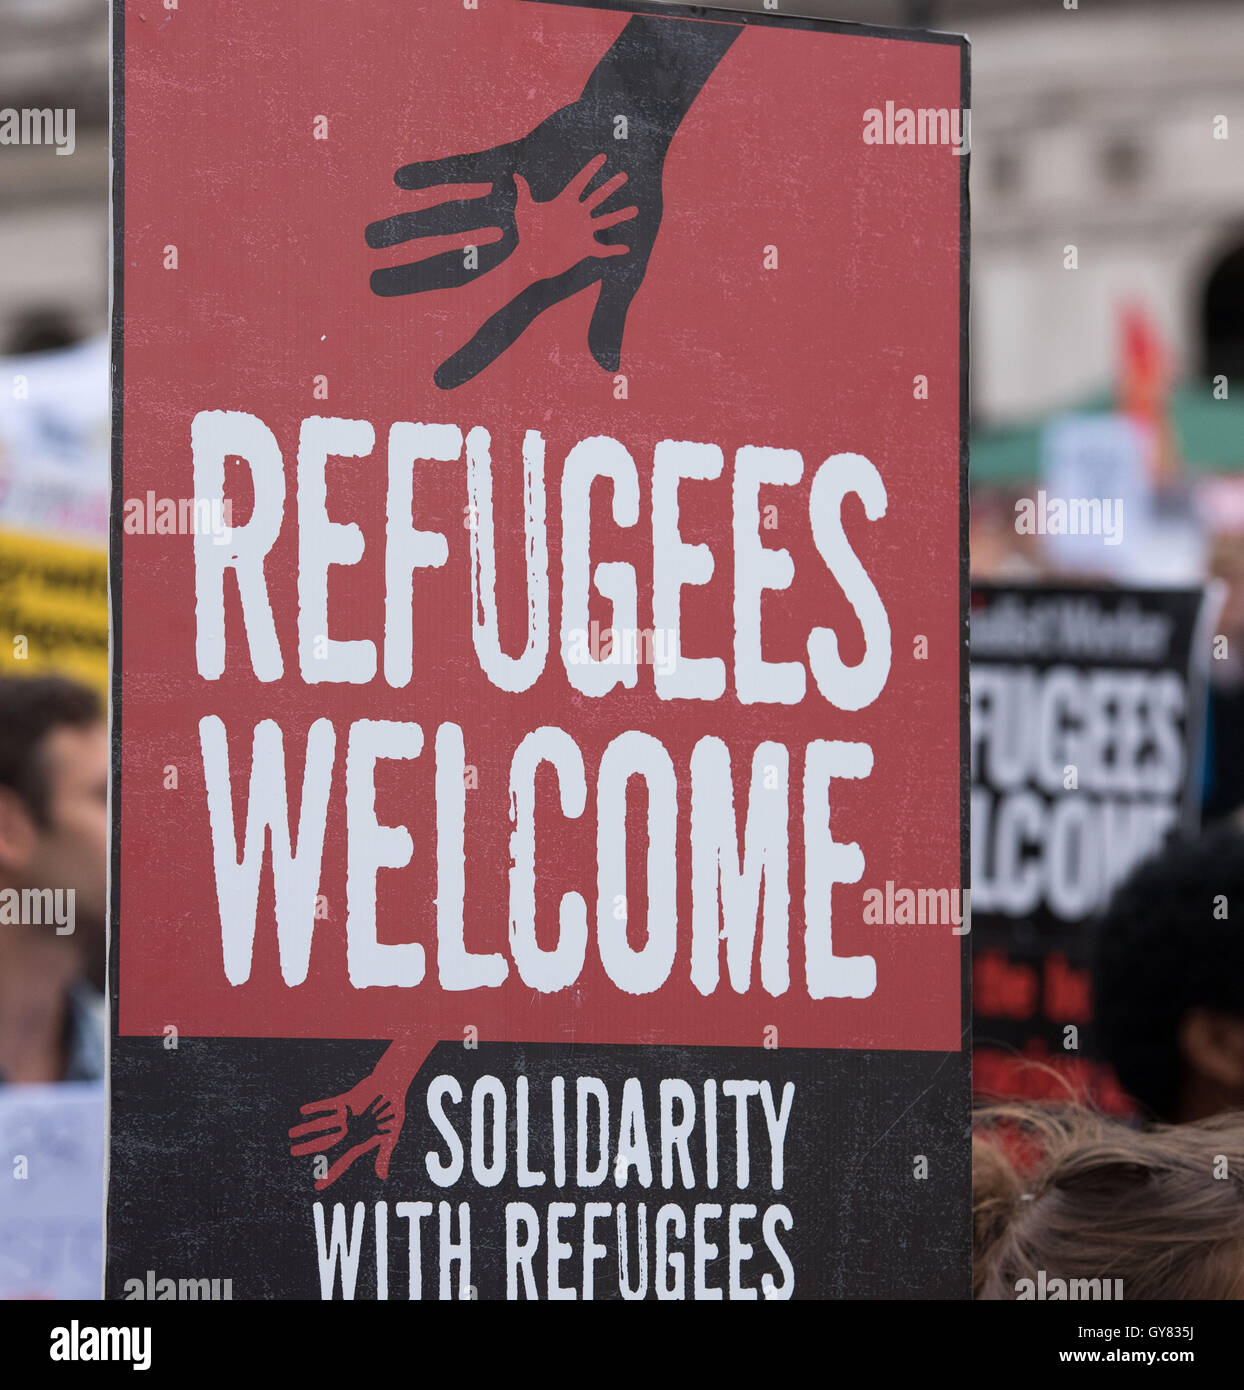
[1115, 129]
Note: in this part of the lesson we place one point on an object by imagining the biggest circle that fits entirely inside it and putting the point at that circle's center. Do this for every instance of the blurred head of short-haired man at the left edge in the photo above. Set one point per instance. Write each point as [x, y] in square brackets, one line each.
[54, 799]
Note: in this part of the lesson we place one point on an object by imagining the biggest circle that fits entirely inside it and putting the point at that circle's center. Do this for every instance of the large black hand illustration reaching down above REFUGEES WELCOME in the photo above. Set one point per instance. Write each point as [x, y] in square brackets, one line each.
[650, 79]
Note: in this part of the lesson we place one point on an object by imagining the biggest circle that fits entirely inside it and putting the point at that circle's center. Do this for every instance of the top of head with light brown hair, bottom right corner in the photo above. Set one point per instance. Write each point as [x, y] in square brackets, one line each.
[1063, 1193]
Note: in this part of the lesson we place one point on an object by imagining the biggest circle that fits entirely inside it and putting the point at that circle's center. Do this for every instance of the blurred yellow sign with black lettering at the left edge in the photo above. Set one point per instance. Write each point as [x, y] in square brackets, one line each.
[54, 608]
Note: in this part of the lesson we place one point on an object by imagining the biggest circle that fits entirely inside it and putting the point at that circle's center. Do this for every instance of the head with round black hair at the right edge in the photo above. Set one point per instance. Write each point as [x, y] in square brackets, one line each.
[1168, 978]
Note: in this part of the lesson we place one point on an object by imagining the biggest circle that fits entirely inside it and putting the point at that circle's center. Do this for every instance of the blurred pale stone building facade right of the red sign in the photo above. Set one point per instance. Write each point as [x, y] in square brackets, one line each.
[1121, 134]
